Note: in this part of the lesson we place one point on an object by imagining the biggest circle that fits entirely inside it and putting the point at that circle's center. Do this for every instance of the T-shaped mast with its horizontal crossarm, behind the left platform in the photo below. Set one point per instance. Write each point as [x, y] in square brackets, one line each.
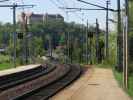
[14, 6]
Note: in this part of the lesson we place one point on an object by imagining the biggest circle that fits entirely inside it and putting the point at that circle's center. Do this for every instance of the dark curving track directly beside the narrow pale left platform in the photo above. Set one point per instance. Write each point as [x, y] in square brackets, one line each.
[12, 80]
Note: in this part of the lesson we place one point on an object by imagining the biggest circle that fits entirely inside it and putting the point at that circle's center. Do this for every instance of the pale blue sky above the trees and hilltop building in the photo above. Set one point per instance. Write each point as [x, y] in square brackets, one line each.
[52, 7]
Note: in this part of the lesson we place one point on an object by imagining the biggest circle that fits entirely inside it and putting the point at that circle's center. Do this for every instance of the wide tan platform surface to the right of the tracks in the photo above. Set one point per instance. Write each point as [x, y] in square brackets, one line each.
[100, 84]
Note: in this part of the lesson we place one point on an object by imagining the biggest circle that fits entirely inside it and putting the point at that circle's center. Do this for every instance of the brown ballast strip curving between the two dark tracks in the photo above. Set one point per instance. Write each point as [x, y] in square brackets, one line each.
[28, 86]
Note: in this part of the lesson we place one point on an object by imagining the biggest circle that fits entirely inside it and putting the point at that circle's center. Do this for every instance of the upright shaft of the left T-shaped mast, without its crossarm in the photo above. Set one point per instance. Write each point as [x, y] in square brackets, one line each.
[14, 34]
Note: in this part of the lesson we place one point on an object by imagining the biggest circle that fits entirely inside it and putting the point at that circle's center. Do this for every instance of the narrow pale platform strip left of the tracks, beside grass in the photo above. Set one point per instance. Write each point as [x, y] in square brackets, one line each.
[18, 69]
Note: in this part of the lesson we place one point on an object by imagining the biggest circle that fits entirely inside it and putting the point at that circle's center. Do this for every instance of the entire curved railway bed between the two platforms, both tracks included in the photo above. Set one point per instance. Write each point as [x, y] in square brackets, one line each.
[39, 83]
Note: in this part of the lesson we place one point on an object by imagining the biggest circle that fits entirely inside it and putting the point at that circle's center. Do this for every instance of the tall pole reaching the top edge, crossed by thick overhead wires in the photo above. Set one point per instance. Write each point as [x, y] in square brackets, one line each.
[106, 35]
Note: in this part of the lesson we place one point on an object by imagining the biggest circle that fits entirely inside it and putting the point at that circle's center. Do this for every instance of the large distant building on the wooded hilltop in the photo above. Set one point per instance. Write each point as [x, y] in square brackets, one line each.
[35, 18]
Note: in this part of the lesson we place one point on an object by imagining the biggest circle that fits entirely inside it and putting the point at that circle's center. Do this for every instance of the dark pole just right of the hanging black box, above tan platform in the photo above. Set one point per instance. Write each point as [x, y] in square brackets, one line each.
[97, 40]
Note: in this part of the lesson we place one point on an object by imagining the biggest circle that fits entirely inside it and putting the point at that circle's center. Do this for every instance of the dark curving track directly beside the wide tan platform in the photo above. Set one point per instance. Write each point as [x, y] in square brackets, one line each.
[46, 92]
